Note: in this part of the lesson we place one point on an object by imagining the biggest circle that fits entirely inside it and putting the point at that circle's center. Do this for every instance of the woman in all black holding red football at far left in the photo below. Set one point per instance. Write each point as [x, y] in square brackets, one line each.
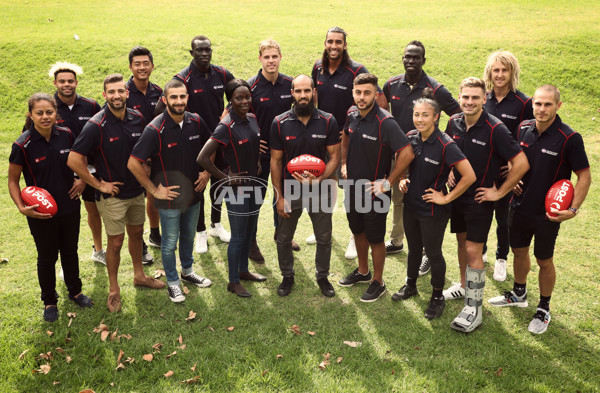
[40, 154]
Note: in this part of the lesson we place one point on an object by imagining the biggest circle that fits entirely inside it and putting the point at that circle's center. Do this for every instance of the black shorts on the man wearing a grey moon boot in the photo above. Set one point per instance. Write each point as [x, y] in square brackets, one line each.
[474, 219]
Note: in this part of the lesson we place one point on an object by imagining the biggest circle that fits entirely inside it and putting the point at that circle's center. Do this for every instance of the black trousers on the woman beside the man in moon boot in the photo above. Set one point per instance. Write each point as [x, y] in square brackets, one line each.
[425, 232]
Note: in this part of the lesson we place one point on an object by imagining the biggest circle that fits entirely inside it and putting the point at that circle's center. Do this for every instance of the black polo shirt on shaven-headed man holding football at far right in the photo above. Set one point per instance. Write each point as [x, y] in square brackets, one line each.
[552, 156]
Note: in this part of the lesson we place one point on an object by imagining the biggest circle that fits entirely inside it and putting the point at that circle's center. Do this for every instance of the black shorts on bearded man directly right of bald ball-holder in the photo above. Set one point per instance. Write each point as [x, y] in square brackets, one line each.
[371, 222]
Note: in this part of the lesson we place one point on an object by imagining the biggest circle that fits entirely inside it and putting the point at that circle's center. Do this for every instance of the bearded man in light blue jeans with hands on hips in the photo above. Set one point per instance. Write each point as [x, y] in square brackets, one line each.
[173, 140]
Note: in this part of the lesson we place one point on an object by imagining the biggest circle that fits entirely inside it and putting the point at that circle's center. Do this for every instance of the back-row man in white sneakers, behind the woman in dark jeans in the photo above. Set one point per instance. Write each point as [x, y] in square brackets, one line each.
[205, 83]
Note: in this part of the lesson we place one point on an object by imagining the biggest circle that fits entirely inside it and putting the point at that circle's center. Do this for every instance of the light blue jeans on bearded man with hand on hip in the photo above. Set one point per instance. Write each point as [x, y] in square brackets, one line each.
[178, 224]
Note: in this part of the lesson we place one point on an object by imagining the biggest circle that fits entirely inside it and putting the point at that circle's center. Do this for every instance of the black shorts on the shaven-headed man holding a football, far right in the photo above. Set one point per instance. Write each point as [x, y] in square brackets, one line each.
[522, 229]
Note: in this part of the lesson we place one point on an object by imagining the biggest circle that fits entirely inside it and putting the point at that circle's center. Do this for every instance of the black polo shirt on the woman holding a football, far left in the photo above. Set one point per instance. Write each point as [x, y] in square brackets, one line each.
[44, 164]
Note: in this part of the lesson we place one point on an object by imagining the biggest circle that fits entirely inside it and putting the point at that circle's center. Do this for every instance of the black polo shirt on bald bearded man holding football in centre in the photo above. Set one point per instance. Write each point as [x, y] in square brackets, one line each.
[290, 135]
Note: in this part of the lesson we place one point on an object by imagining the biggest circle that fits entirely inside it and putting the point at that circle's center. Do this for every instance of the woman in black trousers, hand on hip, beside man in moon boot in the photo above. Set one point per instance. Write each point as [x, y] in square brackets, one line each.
[426, 199]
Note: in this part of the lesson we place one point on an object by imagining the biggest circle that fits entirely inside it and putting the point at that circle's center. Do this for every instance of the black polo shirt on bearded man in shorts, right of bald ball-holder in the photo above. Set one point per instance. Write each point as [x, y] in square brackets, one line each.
[373, 142]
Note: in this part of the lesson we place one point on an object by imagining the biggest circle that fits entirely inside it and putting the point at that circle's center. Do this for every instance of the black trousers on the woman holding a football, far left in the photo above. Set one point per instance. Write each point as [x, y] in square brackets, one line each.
[57, 234]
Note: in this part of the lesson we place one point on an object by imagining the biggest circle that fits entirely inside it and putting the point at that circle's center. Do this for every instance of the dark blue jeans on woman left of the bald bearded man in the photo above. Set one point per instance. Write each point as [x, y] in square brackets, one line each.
[243, 218]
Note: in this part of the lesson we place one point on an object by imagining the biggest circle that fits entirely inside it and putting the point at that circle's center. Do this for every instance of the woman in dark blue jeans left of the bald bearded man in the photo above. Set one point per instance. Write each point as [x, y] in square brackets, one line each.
[237, 139]
